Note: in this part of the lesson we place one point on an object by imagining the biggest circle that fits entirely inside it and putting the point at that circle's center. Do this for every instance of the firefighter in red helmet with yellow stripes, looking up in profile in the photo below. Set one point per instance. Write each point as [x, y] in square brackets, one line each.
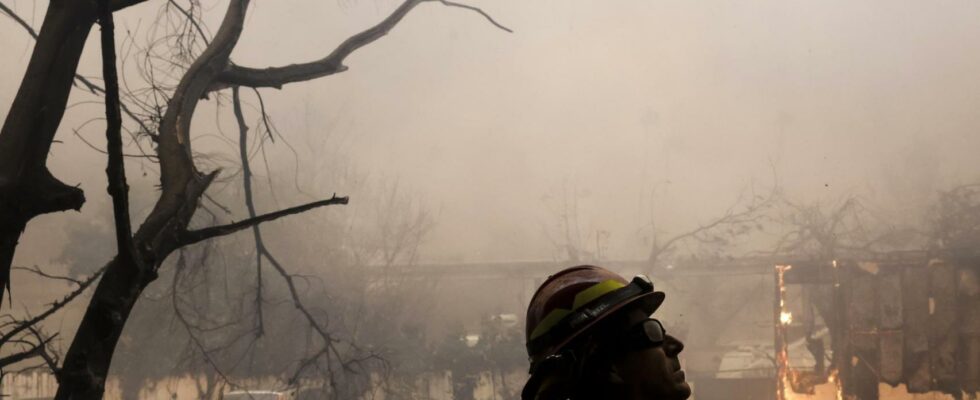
[590, 336]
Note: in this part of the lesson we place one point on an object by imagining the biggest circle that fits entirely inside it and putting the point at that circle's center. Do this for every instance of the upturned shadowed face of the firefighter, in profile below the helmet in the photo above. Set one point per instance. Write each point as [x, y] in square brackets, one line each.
[654, 372]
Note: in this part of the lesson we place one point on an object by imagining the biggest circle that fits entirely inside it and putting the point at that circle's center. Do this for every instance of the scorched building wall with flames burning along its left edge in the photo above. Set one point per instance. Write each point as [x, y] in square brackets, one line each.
[908, 318]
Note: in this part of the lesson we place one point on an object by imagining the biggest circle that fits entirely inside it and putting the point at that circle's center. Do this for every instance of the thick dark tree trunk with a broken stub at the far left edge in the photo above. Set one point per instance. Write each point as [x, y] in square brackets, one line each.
[27, 189]
